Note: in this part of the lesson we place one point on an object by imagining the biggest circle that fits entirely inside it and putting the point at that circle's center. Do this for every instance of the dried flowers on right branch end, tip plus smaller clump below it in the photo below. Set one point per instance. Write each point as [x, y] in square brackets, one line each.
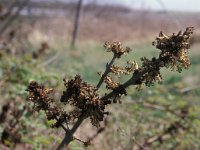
[173, 55]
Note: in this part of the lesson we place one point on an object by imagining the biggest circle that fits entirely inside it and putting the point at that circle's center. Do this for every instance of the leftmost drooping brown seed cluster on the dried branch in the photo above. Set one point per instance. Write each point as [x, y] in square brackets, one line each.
[41, 97]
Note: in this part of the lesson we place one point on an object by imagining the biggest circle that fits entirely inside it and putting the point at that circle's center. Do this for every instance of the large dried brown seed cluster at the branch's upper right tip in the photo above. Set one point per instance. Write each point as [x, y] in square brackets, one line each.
[174, 49]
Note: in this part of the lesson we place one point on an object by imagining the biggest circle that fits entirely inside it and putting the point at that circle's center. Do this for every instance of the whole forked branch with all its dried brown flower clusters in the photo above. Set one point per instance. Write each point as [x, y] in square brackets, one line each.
[85, 98]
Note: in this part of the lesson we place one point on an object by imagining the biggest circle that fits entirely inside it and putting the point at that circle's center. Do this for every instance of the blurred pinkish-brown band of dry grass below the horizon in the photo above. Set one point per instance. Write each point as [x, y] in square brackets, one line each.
[110, 24]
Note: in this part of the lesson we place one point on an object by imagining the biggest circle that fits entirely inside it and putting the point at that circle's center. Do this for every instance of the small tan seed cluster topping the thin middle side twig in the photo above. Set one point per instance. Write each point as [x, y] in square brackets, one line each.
[117, 48]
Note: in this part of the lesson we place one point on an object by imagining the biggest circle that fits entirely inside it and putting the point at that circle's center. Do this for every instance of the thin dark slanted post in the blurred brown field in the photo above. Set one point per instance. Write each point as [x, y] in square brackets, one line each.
[76, 24]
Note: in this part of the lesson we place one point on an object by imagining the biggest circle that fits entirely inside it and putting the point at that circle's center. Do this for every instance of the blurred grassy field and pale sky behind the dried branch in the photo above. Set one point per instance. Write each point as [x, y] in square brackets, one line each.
[47, 40]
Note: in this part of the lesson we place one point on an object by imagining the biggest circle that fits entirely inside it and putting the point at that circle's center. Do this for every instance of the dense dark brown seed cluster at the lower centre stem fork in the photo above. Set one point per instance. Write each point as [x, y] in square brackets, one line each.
[85, 99]
